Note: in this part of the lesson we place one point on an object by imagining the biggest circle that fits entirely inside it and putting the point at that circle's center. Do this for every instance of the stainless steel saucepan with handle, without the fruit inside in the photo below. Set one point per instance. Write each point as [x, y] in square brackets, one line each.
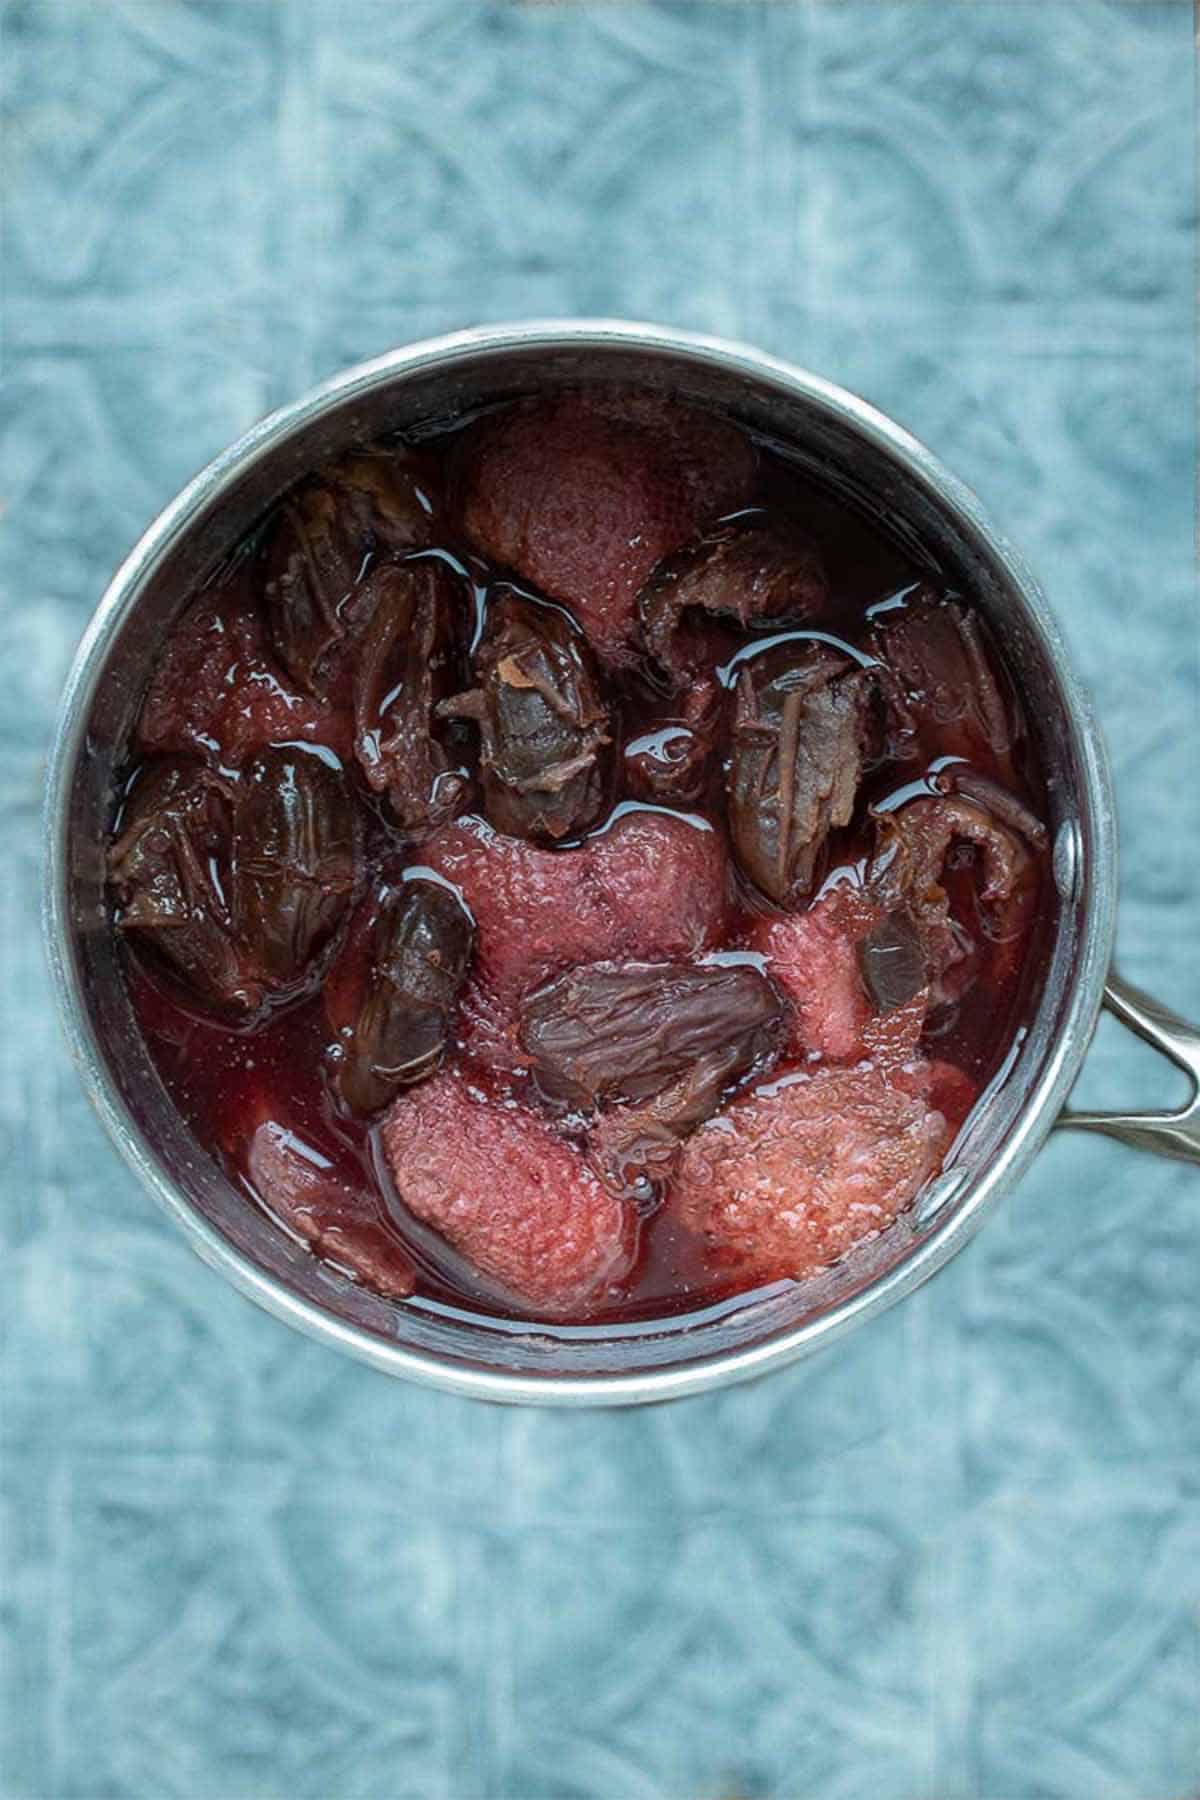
[870, 456]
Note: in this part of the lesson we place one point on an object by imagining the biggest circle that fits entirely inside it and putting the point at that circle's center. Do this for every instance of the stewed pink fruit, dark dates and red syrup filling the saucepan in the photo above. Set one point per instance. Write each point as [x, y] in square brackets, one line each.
[580, 865]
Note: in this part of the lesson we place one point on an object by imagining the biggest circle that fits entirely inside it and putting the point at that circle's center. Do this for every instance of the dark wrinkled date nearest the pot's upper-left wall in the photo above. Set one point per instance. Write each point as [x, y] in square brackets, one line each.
[323, 537]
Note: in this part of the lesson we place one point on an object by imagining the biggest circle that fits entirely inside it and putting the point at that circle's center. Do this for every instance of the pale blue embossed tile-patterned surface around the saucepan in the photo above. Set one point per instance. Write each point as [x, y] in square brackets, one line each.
[956, 1560]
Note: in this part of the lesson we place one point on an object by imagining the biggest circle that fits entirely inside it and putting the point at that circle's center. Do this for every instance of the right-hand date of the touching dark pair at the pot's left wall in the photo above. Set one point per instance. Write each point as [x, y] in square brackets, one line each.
[294, 859]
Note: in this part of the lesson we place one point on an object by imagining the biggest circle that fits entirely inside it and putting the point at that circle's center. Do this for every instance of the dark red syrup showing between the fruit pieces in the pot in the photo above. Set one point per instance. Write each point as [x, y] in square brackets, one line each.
[229, 1075]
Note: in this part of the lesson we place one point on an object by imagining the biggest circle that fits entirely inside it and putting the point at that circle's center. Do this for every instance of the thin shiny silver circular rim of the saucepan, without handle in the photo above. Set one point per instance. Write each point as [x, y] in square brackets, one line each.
[945, 1237]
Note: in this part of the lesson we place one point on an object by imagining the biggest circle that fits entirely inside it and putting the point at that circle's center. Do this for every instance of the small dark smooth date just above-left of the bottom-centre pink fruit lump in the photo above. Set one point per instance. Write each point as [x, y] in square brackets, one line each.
[420, 953]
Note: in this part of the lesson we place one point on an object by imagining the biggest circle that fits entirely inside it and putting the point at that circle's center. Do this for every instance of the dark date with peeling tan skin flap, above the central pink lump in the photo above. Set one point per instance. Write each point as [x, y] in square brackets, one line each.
[546, 746]
